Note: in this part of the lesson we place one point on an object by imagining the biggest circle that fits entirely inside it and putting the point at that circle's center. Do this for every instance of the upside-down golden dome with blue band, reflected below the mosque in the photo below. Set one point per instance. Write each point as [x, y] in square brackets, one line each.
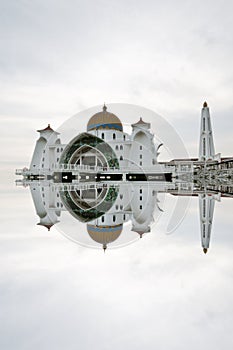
[104, 234]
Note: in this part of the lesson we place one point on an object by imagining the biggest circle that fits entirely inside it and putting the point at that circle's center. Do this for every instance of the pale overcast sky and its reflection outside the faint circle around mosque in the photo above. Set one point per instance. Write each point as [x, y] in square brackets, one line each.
[56, 59]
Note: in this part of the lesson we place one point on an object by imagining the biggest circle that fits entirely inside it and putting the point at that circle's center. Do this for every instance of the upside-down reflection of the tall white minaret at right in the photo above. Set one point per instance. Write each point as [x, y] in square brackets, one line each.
[206, 208]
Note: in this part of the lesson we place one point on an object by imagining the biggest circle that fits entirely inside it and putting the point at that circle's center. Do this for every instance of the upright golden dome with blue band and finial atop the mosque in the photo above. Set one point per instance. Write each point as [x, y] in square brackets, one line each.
[104, 120]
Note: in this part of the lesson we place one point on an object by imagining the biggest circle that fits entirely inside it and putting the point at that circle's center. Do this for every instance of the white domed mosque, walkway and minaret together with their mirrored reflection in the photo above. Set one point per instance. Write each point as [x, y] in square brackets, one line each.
[106, 178]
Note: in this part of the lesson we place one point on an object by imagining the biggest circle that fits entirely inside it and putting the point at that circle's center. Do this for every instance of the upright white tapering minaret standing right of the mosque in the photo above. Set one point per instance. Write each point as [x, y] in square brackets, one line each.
[206, 148]
